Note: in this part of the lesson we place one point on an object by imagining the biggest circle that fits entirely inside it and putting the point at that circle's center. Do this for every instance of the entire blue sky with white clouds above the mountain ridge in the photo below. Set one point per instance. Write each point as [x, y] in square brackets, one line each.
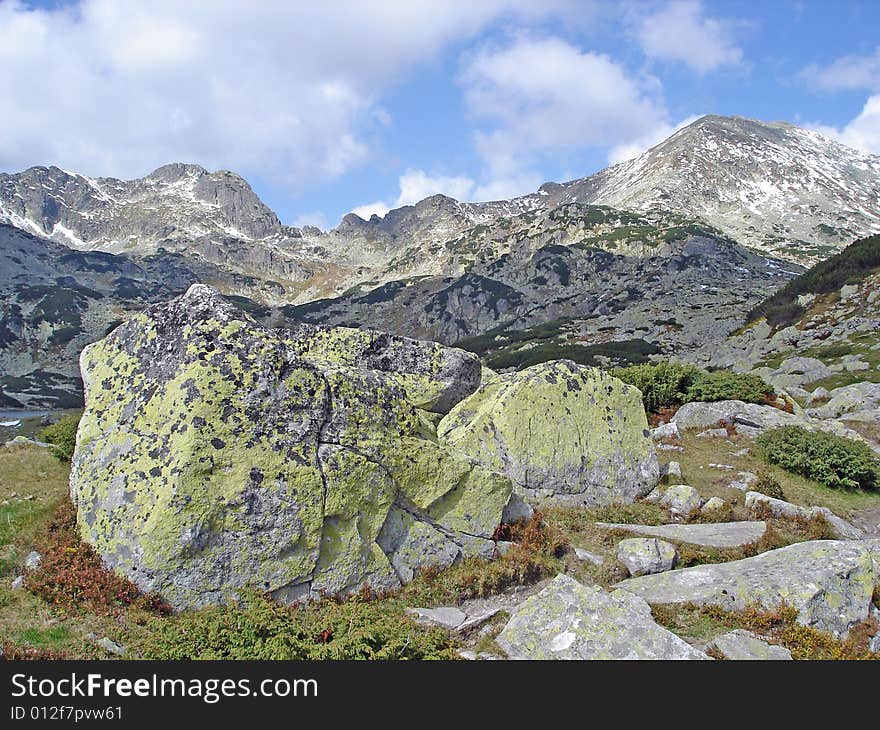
[342, 105]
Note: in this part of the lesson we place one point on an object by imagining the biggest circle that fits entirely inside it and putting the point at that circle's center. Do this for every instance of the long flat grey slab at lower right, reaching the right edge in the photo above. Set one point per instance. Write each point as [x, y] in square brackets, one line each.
[828, 582]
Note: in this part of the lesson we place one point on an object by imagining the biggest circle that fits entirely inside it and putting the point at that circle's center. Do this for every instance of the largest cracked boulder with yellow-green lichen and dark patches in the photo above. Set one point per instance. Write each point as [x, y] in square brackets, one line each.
[215, 454]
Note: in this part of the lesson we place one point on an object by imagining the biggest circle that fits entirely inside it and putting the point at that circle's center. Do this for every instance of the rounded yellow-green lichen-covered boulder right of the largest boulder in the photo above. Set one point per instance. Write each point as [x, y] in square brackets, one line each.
[564, 433]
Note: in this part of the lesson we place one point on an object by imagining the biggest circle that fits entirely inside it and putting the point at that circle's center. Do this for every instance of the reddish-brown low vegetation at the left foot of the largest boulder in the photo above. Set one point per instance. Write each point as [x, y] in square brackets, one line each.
[72, 576]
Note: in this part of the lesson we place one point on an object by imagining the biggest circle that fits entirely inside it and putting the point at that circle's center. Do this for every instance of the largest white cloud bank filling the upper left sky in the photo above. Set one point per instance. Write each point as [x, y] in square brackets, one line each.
[285, 90]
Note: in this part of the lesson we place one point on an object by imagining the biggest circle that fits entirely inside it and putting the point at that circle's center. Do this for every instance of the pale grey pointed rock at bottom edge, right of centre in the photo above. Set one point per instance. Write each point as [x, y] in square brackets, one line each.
[568, 620]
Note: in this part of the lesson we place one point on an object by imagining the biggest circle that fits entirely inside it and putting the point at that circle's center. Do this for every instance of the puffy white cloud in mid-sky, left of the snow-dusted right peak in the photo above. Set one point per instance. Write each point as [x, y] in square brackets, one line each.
[544, 95]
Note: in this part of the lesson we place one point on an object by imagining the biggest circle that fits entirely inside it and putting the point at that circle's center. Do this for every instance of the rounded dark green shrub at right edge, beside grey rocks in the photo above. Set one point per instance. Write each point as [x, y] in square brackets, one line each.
[823, 457]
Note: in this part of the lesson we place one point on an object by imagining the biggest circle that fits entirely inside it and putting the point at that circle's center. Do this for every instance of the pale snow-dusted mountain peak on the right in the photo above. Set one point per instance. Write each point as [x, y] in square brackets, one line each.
[773, 186]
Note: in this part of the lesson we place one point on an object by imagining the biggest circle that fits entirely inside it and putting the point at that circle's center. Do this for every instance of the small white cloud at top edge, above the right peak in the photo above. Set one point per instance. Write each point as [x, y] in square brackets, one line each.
[680, 31]
